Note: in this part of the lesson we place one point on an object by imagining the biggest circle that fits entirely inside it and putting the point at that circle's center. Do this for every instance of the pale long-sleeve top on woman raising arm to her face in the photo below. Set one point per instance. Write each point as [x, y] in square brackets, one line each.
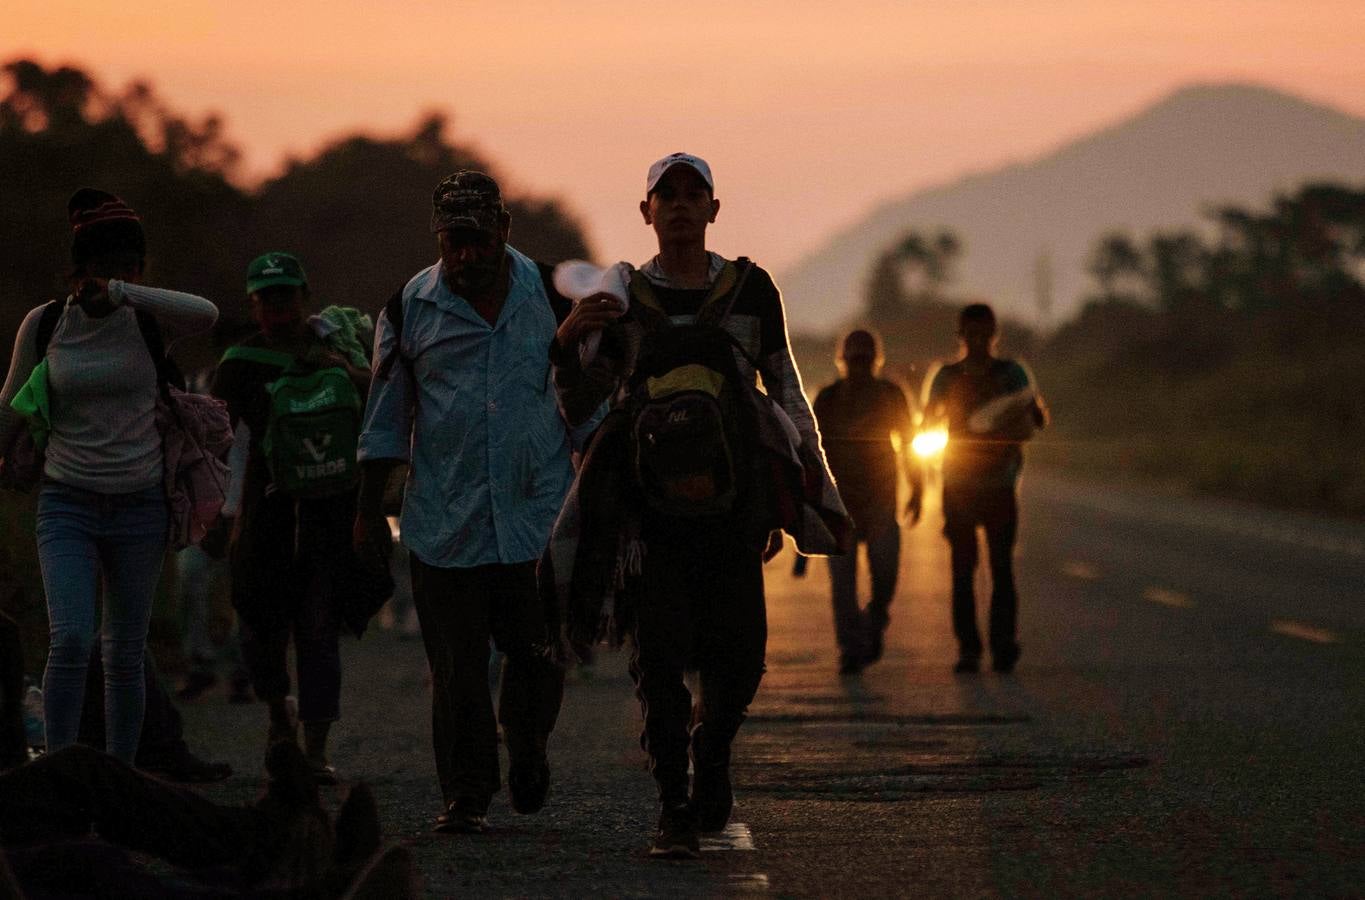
[103, 387]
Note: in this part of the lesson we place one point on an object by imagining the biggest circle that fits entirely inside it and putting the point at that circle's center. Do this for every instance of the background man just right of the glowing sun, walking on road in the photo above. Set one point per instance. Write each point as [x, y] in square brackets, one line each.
[990, 408]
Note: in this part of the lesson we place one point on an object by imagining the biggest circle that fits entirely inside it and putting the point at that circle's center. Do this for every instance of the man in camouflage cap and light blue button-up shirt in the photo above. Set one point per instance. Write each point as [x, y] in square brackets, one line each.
[461, 394]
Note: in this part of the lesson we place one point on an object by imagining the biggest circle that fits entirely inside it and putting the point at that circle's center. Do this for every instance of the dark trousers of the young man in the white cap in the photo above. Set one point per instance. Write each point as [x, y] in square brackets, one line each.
[702, 610]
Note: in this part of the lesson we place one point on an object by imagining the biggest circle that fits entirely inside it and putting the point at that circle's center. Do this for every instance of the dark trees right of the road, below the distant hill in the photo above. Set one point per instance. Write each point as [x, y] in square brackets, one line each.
[1222, 358]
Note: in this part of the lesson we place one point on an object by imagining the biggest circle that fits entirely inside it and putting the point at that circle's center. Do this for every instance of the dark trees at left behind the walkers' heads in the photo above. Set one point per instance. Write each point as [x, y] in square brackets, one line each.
[356, 212]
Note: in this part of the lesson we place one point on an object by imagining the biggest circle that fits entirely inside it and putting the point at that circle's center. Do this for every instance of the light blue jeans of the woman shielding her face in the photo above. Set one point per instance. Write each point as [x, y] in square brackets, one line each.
[83, 536]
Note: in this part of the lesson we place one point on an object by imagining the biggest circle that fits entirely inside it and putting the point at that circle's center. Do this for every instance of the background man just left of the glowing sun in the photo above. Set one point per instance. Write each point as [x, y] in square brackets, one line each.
[867, 430]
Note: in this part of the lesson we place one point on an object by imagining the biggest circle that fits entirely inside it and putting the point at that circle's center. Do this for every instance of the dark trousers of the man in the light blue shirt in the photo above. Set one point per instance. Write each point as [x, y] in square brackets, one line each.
[459, 611]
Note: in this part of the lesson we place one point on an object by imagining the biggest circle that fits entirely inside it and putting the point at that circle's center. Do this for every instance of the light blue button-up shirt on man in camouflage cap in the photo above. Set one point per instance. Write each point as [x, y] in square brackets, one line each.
[474, 412]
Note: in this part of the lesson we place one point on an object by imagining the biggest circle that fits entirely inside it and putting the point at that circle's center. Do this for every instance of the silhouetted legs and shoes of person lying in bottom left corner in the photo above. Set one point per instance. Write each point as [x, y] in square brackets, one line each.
[282, 846]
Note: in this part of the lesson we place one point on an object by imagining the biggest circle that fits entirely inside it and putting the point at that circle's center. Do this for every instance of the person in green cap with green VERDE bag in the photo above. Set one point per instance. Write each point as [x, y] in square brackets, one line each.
[300, 401]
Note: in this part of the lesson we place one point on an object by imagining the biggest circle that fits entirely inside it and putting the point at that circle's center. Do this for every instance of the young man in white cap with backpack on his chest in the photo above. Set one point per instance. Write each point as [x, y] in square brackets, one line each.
[697, 602]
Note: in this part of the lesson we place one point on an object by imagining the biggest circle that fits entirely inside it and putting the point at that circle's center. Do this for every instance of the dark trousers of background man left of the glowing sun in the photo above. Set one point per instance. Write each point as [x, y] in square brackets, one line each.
[884, 561]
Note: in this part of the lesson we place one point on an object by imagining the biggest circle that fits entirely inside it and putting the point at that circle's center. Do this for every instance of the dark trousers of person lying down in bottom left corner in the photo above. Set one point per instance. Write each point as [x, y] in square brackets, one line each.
[63, 794]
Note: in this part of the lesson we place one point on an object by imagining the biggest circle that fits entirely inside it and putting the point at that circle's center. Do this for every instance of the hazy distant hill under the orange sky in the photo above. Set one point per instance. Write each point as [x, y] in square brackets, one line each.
[1202, 147]
